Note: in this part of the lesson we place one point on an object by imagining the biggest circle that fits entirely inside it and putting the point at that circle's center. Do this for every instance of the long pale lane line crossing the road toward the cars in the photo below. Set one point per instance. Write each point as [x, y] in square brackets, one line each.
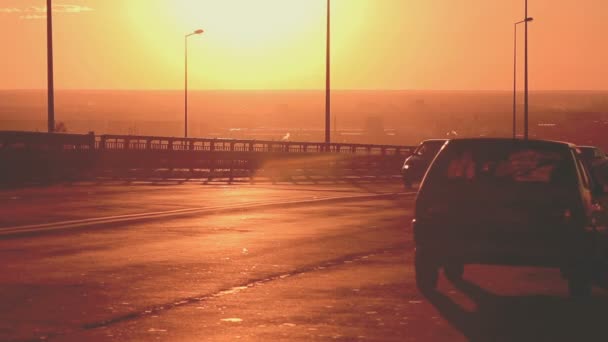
[177, 212]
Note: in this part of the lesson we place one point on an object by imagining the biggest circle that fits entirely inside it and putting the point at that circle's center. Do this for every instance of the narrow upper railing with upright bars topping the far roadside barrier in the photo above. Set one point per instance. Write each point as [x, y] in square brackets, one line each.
[153, 143]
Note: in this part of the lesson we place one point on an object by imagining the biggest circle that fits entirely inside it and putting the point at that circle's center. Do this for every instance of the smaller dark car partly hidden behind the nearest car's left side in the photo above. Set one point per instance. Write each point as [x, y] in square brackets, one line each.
[416, 164]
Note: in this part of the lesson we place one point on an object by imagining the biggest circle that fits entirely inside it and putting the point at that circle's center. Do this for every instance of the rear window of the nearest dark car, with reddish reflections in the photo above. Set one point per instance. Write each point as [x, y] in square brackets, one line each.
[511, 163]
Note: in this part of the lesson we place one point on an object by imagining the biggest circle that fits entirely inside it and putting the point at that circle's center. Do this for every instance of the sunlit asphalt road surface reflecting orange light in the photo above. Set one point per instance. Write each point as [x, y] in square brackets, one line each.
[282, 262]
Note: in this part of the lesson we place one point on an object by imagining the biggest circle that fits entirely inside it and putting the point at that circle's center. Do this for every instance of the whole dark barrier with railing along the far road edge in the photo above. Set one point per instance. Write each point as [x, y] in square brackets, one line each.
[30, 156]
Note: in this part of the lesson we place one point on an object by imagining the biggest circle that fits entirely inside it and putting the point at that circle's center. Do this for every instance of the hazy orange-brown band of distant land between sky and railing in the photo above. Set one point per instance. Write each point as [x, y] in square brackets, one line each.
[397, 117]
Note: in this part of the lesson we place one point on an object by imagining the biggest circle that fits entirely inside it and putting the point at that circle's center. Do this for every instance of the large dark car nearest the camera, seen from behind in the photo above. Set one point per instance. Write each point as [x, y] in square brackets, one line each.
[507, 202]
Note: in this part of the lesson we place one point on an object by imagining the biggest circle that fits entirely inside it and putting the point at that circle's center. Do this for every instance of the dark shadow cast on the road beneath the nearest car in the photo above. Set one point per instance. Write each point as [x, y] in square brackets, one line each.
[524, 318]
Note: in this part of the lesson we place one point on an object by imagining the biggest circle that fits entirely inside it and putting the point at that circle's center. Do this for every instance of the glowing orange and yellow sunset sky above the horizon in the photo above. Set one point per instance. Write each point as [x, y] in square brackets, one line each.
[279, 44]
